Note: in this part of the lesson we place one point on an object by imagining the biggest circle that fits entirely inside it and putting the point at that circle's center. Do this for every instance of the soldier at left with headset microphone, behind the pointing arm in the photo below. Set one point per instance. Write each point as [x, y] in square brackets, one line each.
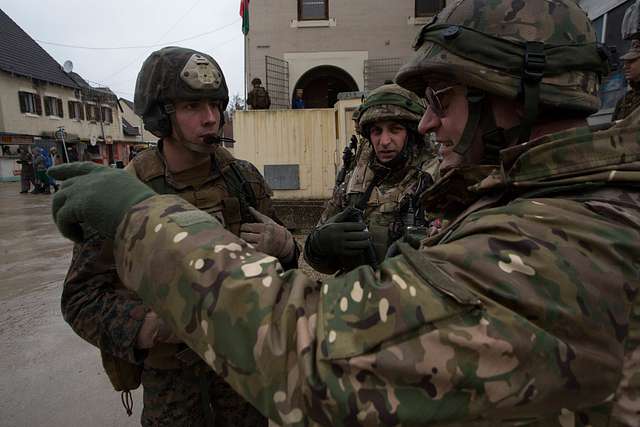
[174, 86]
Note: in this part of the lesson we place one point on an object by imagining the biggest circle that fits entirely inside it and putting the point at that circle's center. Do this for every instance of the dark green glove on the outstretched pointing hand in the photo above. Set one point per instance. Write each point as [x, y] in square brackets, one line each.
[94, 195]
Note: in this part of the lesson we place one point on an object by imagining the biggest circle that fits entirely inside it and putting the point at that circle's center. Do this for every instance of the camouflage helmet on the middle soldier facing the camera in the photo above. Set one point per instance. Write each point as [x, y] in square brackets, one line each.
[389, 102]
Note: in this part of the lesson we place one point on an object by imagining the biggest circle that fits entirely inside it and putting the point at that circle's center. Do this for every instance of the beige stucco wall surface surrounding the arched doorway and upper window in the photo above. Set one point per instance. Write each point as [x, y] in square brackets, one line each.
[372, 28]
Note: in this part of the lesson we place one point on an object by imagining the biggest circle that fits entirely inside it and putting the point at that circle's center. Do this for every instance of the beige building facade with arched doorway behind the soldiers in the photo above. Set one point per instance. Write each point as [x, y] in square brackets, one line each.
[326, 47]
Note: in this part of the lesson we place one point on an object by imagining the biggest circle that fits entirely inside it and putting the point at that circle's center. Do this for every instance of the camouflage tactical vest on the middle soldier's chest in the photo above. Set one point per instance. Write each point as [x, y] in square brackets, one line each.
[385, 202]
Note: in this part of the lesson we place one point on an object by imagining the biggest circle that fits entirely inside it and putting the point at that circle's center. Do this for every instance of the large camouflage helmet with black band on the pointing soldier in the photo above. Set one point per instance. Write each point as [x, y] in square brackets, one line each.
[542, 53]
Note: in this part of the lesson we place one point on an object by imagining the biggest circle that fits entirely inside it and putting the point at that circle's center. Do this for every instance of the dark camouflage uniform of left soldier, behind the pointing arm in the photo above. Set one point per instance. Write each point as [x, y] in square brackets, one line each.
[101, 311]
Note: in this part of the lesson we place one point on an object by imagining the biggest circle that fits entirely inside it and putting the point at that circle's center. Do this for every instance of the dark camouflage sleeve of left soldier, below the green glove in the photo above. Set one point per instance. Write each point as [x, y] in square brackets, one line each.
[103, 315]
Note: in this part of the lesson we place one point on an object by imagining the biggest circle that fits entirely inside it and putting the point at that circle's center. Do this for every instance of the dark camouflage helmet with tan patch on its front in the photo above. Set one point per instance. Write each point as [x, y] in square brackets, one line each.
[176, 73]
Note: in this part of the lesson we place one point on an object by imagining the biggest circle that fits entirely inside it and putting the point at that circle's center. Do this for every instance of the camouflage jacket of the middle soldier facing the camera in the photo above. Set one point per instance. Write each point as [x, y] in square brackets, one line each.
[389, 205]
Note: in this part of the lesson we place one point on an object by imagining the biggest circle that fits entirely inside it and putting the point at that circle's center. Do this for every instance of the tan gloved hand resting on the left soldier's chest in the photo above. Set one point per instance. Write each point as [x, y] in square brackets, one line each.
[268, 236]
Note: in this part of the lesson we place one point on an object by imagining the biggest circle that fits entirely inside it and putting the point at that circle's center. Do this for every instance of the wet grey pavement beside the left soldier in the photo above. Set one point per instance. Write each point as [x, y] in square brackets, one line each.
[49, 375]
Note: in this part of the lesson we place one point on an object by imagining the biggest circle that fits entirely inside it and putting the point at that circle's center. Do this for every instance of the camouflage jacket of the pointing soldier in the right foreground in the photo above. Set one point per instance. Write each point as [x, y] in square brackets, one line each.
[524, 311]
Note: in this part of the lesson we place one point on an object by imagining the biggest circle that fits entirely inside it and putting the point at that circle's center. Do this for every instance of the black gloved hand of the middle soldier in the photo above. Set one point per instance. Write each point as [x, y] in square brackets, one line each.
[341, 239]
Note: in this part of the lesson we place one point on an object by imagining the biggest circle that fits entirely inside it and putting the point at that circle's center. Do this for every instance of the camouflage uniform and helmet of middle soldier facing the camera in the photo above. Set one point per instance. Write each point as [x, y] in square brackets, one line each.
[388, 193]
